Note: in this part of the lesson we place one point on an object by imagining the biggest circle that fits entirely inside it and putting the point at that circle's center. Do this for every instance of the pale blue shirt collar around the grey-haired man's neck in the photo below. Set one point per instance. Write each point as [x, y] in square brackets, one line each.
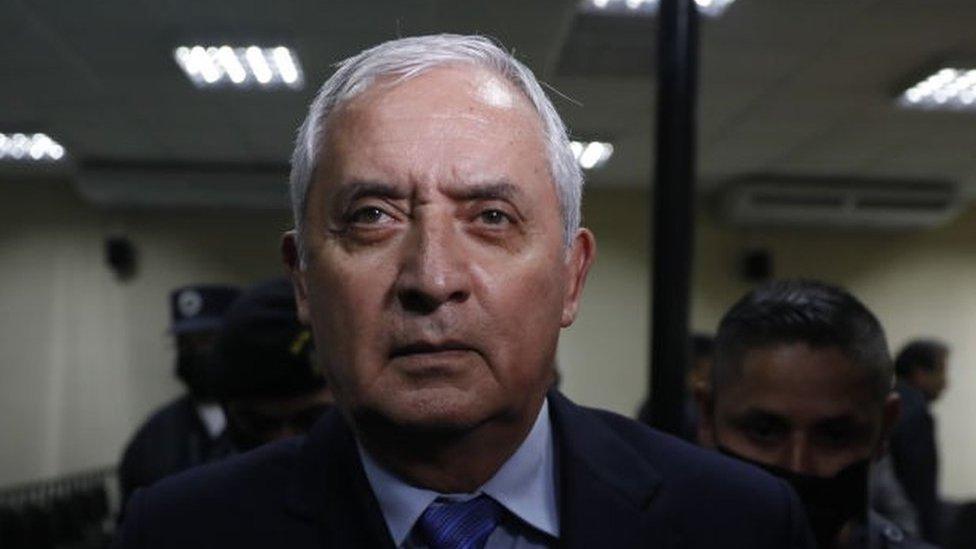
[525, 485]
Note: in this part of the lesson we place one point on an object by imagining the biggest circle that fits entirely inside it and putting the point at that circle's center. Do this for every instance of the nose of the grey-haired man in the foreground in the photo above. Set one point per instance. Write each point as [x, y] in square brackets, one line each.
[434, 270]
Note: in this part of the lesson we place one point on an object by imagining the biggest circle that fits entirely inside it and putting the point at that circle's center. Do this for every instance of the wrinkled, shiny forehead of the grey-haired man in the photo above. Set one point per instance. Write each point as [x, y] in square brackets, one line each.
[450, 124]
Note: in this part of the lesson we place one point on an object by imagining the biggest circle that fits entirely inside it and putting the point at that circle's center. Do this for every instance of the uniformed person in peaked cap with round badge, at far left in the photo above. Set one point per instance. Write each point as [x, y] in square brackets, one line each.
[189, 430]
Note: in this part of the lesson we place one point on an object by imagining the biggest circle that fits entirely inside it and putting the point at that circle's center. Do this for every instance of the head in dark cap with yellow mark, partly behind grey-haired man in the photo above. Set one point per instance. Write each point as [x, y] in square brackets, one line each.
[266, 379]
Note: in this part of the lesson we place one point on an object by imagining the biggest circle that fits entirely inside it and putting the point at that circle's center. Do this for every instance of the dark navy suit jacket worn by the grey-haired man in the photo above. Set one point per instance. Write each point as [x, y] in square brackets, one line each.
[621, 485]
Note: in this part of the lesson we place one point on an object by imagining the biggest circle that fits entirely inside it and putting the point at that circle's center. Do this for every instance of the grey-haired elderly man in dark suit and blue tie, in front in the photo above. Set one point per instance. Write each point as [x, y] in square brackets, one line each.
[437, 254]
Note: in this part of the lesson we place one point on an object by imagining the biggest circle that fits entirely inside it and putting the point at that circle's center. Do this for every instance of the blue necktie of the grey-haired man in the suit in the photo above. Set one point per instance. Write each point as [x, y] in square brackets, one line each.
[464, 525]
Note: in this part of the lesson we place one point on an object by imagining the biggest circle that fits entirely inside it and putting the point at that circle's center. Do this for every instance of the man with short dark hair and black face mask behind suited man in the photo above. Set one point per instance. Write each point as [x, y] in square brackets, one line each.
[802, 388]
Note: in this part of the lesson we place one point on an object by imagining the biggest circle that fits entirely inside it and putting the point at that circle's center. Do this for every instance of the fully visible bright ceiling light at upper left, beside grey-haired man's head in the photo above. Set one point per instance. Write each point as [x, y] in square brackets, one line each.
[240, 67]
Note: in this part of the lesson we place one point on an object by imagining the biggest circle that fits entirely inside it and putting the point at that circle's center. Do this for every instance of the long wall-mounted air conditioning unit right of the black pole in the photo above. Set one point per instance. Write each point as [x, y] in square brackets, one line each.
[839, 203]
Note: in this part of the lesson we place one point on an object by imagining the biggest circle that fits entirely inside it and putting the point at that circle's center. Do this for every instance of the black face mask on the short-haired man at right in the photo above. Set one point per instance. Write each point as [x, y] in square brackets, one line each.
[830, 502]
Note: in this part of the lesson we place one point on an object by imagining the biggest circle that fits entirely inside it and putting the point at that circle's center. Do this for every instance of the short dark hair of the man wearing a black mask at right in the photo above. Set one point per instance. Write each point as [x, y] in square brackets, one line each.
[802, 311]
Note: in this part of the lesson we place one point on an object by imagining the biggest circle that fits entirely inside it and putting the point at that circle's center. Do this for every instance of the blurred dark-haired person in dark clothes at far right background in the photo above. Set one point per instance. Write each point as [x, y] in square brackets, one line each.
[921, 367]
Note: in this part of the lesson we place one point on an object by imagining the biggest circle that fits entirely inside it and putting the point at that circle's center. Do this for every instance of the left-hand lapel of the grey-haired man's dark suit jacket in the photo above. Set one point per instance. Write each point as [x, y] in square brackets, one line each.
[331, 489]
